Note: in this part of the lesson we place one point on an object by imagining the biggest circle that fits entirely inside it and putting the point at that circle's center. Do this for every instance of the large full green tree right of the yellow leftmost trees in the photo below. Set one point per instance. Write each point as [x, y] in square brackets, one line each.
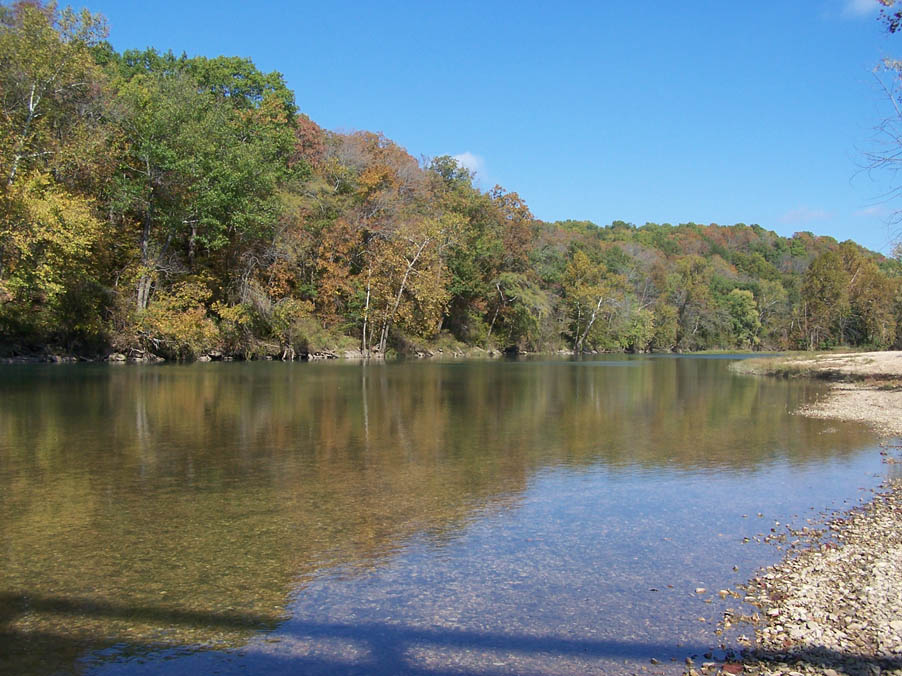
[198, 173]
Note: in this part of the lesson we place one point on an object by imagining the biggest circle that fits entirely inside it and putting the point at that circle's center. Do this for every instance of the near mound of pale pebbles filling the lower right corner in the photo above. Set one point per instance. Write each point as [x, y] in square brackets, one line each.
[833, 609]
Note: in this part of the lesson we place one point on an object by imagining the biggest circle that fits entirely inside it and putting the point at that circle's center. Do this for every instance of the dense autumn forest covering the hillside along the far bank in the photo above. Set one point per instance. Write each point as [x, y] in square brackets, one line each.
[155, 204]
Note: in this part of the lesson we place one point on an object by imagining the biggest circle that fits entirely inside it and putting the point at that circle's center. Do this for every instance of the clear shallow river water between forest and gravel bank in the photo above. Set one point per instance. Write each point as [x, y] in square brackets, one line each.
[417, 518]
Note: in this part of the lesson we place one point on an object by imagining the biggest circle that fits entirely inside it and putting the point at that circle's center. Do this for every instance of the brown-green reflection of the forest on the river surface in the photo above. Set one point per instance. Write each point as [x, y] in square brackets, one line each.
[213, 489]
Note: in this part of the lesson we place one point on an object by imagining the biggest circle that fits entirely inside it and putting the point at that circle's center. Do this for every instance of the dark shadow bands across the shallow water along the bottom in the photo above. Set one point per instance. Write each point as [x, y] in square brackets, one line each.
[375, 648]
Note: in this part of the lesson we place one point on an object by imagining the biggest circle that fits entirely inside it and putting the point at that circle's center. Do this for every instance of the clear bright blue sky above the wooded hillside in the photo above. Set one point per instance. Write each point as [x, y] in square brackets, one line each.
[602, 110]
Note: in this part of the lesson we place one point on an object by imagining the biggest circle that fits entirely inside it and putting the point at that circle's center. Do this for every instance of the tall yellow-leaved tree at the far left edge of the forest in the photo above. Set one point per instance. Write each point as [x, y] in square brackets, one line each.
[50, 280]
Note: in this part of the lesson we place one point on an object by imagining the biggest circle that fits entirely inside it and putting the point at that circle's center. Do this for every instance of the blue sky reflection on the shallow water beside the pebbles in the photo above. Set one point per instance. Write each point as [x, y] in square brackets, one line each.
[586, 571]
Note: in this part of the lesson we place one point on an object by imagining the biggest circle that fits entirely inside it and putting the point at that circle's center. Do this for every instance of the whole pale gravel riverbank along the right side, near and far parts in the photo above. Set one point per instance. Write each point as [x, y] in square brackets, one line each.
[835, 607]
